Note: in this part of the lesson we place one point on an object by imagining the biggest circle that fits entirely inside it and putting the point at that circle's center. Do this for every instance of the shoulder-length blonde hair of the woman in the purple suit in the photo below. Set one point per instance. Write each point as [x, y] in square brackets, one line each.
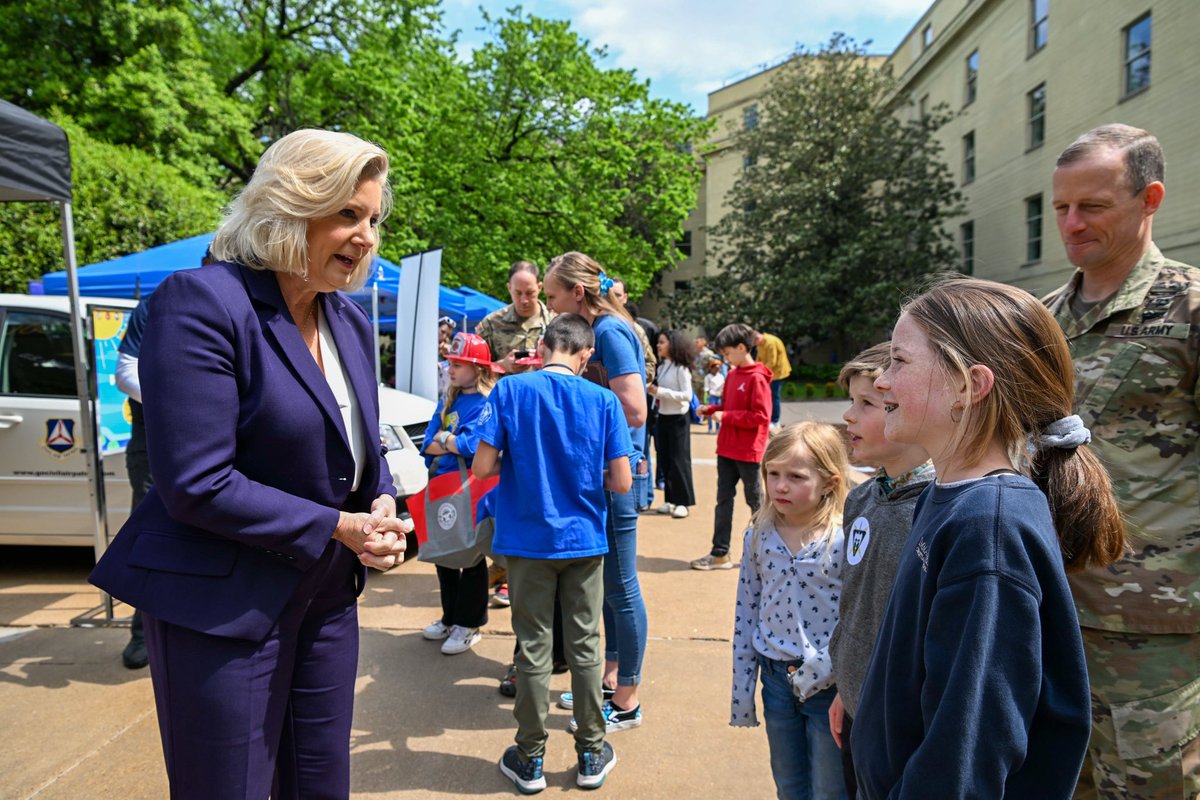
[307, 176]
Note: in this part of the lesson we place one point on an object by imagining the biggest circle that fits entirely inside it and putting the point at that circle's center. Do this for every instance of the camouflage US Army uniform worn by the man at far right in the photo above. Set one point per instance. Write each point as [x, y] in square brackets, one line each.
[1137, 360]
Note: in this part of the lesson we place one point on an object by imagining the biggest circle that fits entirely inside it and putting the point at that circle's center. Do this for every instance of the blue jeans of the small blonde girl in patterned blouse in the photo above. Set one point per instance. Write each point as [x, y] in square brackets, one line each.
[805, 759]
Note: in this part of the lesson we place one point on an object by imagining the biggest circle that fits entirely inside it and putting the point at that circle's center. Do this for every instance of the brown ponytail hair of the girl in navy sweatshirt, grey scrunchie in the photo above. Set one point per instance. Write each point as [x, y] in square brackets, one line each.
[973, 322]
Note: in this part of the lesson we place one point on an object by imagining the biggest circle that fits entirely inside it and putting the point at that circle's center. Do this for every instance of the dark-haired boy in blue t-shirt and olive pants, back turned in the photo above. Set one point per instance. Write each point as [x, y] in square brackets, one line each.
[559, 443]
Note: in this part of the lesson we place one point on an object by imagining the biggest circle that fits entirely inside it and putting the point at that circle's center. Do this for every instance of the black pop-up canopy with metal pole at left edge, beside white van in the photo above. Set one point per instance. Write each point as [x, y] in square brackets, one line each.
[35, 167]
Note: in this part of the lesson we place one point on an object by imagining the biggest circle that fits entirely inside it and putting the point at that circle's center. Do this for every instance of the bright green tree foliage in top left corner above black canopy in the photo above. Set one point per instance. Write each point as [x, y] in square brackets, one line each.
[130, 74]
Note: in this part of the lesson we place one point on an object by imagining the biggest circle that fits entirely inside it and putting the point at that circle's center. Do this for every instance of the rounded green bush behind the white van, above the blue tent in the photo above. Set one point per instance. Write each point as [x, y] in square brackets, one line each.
[125, 201]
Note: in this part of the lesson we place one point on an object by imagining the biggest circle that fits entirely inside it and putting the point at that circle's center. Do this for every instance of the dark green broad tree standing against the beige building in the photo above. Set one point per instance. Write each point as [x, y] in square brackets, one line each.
[839, 213]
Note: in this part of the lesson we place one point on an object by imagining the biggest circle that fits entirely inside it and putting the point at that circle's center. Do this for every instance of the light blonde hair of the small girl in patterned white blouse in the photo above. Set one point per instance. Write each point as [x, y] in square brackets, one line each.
[824, 447]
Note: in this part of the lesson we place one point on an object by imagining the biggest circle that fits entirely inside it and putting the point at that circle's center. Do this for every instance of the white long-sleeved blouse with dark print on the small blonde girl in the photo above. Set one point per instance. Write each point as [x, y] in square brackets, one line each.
[787, 611]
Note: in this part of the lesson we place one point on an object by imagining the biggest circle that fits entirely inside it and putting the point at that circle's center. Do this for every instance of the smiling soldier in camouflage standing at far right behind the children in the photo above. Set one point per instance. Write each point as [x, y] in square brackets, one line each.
[1133, 322]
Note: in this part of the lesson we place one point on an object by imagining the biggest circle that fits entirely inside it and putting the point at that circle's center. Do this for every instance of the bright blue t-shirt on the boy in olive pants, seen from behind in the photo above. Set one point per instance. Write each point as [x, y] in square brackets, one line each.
[556, 434]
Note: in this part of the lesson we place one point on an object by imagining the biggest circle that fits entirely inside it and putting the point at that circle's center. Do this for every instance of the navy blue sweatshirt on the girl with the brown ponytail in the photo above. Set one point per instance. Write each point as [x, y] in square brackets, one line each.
[979, 687]
